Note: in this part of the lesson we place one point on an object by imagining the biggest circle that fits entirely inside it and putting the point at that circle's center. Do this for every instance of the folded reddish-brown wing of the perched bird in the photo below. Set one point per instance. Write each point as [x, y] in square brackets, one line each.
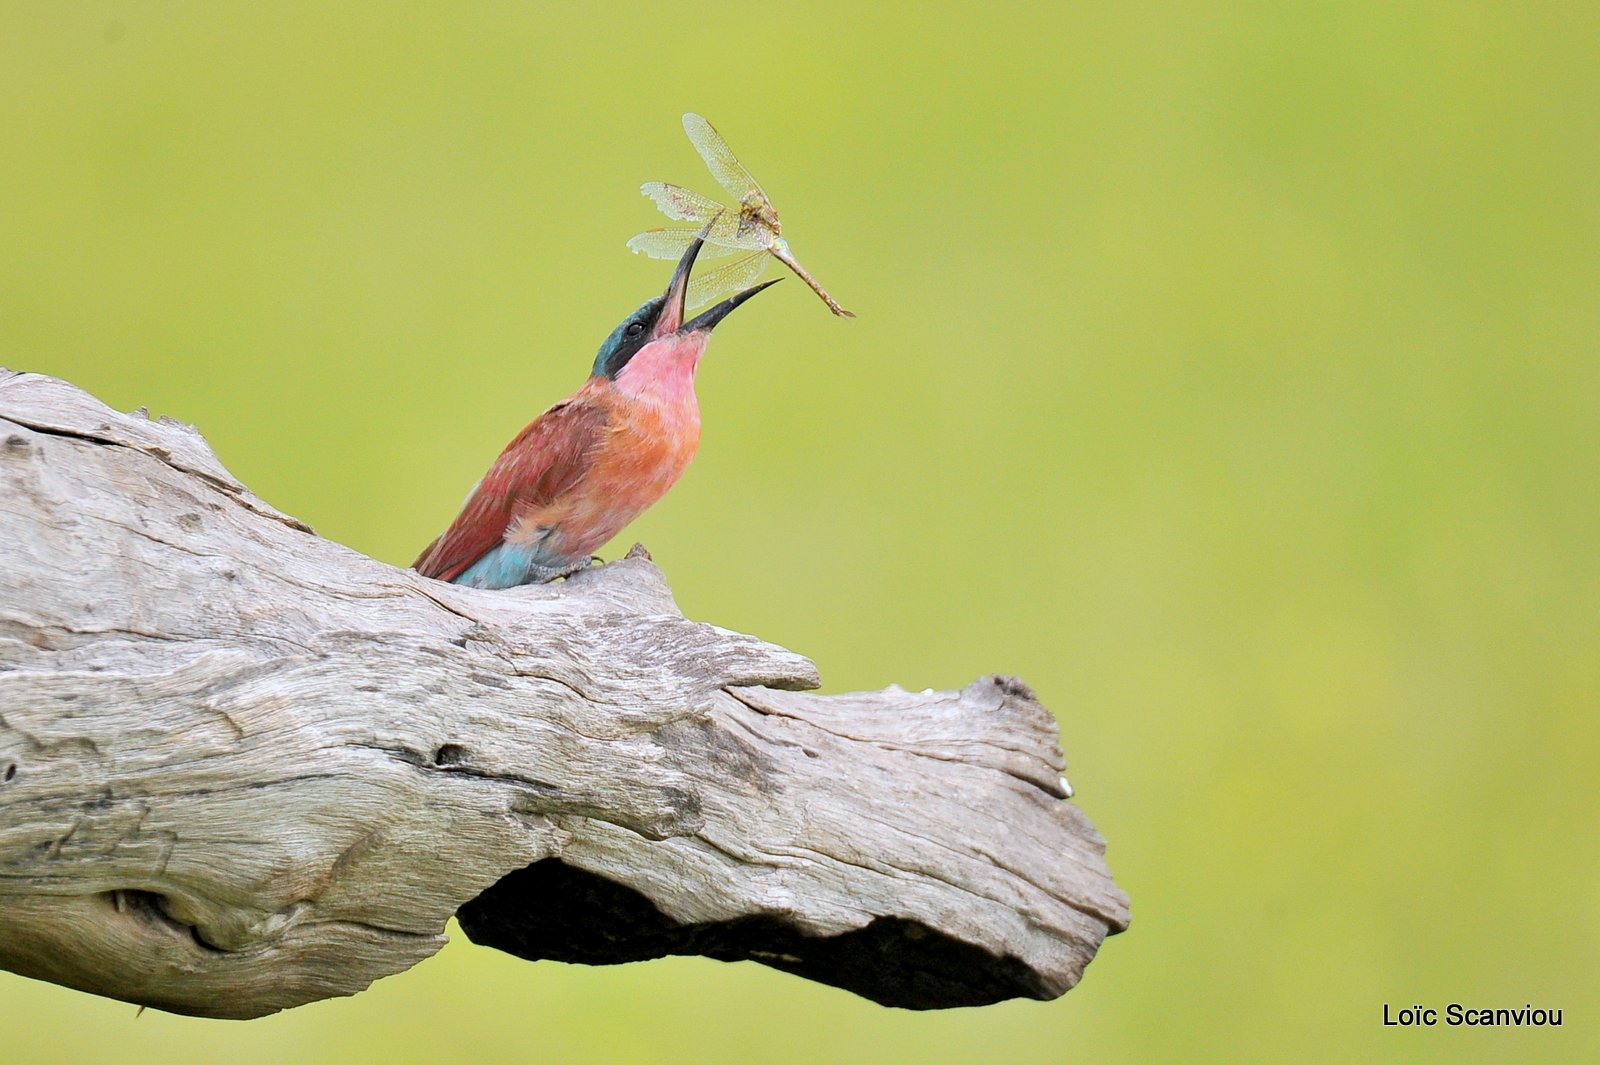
[548, 458]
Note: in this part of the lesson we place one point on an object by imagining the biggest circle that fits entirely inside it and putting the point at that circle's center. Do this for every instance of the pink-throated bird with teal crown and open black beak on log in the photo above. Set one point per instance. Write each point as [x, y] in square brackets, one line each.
[591, 465]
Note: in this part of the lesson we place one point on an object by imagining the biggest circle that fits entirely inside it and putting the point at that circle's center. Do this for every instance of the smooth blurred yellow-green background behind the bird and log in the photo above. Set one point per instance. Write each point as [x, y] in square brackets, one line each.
[1230, 375]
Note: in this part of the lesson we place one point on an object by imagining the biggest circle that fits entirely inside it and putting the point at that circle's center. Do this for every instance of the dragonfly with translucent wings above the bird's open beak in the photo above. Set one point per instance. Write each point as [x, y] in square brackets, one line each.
[754, 229]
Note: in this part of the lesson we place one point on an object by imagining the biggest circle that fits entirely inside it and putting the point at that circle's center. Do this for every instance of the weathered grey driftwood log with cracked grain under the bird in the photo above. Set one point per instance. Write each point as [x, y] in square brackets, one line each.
[244, 768]
